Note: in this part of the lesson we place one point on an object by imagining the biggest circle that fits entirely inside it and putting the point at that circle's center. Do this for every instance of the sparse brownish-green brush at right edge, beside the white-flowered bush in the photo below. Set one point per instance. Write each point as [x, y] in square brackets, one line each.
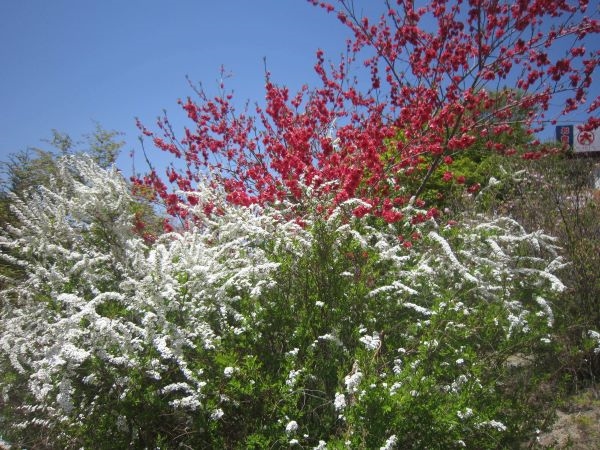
[557, 194]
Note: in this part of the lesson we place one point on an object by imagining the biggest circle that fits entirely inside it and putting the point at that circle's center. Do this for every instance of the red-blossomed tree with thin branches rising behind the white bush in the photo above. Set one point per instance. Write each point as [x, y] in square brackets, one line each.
[418, 85]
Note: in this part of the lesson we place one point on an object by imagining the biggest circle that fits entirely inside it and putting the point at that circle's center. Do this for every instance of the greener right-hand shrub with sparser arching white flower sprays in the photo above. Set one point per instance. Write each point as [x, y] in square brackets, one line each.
[428, 347]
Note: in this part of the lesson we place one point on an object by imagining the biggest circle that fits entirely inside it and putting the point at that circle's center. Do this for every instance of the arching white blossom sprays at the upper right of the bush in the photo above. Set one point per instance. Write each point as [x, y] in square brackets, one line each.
[494, 261]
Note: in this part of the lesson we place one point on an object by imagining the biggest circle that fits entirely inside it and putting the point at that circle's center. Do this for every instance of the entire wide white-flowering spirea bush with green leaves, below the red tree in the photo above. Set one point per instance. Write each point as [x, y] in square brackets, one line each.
[248, 330]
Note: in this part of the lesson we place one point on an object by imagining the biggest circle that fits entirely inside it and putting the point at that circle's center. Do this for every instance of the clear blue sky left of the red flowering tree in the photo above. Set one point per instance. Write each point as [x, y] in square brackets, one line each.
[67, 63]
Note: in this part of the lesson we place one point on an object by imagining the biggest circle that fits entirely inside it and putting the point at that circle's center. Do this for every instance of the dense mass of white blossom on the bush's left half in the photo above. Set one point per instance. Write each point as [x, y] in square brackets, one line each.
[97, 295]
